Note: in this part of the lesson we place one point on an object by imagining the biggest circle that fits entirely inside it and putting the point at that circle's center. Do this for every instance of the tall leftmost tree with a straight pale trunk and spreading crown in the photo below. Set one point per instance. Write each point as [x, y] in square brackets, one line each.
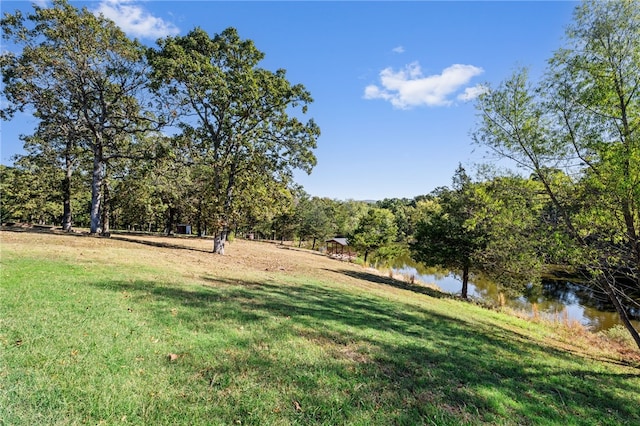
[80, 74]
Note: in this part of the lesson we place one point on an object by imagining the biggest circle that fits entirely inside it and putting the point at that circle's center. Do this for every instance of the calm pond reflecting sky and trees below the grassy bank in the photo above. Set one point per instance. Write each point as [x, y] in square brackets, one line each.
[558, 299]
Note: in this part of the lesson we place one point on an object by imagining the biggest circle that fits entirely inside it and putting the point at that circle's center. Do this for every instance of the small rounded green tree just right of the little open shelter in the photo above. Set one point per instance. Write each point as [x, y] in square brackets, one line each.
[376, 229]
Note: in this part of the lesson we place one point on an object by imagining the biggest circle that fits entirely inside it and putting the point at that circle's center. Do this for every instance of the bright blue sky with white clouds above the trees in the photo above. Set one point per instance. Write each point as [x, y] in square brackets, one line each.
[393, 82]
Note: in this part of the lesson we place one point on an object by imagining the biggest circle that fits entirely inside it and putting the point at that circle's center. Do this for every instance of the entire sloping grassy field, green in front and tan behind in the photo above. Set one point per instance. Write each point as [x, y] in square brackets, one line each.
[159, 331]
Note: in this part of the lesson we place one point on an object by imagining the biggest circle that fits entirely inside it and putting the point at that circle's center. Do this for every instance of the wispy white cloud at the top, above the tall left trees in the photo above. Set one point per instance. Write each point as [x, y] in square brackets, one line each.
[134, 20]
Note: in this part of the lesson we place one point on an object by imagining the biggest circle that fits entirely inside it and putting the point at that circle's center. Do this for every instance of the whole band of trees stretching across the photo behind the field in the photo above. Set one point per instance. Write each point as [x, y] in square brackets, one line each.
[102, 149]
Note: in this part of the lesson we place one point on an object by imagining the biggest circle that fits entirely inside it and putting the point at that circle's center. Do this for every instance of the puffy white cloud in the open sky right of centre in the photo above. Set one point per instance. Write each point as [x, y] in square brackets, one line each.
[409, 88]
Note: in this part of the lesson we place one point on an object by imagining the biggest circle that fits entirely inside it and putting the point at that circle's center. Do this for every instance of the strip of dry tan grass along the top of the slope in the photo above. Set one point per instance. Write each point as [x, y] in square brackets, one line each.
[189, 257]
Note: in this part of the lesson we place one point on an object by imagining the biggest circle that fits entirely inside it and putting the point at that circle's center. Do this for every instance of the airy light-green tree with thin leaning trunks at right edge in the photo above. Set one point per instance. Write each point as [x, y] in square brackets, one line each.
[586, 109]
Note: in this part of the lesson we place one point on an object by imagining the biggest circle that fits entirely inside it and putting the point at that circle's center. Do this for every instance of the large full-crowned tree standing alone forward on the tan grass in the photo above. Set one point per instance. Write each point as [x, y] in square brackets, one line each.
[236, 114]
